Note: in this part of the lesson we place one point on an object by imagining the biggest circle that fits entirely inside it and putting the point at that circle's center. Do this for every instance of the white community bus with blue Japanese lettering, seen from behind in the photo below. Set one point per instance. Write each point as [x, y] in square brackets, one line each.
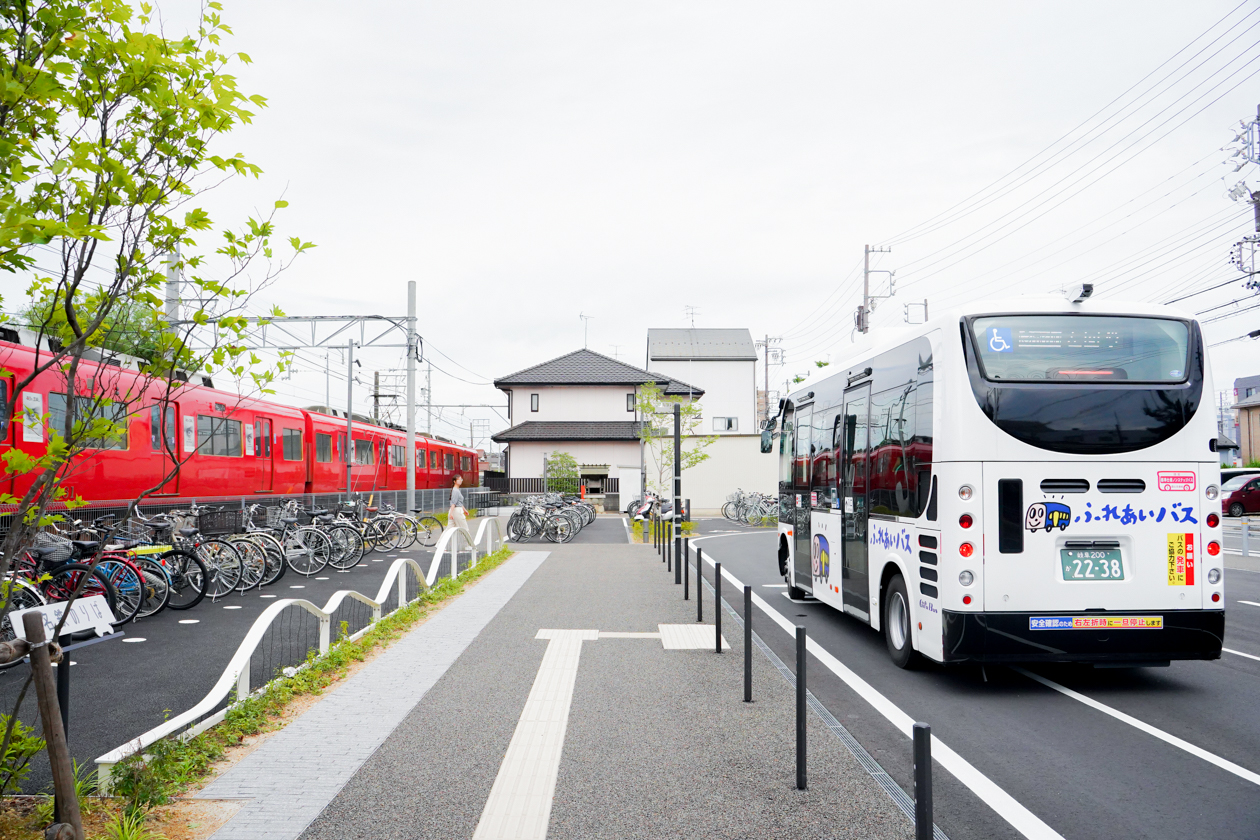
[1031, 480]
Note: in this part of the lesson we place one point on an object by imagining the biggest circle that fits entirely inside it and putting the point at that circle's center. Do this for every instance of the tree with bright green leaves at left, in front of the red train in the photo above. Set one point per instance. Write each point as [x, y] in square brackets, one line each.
[109, 139]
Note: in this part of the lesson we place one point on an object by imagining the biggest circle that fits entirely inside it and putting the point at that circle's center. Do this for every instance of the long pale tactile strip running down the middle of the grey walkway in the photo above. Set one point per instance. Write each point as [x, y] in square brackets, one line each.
[521, 799]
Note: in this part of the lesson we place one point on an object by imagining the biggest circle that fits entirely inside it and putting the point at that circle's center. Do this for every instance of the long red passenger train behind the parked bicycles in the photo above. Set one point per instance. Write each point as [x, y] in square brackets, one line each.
[234, 446]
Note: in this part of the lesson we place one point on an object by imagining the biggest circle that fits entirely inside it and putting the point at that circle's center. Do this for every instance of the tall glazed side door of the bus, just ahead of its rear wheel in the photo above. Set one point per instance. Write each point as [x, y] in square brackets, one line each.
[854, 498]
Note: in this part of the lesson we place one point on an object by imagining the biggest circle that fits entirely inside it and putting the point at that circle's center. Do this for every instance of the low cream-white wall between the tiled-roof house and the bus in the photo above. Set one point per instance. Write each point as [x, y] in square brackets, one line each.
[735, 462]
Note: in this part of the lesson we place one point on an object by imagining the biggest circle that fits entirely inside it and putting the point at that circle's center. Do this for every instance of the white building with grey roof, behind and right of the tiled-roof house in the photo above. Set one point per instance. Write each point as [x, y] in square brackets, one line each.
[724, 365]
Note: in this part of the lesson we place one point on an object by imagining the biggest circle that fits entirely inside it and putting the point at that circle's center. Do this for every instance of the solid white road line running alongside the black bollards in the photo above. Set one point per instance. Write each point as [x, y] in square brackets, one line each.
[1006, 807]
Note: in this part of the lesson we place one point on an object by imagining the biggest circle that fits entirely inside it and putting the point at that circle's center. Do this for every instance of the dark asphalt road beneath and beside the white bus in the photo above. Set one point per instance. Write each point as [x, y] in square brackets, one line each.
[1082, 771]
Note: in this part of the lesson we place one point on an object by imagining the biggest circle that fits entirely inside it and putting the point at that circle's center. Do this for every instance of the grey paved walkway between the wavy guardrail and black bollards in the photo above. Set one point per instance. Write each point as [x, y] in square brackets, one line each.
[570, 695]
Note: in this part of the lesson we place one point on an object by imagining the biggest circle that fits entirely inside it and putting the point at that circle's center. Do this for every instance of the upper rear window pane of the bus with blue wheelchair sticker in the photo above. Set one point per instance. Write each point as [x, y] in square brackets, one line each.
[1082, 348]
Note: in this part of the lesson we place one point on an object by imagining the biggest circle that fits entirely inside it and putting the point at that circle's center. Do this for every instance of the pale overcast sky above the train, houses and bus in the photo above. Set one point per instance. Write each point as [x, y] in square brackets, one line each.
[529, 163]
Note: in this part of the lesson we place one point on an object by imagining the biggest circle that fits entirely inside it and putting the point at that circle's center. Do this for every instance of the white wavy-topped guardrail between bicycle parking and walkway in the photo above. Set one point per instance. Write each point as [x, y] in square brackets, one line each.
[236, 676]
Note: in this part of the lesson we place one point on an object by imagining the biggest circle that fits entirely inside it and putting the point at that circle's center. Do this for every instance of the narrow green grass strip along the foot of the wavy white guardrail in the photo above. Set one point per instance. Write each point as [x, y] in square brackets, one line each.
[171, 765]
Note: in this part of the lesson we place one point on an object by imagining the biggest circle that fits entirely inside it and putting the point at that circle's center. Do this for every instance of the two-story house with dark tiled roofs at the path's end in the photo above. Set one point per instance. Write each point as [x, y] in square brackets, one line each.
[583, 404]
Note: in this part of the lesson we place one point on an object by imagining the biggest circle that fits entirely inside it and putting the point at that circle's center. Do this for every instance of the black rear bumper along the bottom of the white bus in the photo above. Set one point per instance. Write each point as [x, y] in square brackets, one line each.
[1009, 638]
